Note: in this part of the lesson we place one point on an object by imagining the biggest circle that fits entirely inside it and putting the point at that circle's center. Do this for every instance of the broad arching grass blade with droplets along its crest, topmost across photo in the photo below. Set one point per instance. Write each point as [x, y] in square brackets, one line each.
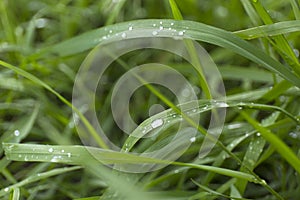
[192, 30]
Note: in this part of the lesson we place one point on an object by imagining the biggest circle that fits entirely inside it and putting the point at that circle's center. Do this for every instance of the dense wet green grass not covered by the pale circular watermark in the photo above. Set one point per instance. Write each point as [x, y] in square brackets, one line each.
[255, 45]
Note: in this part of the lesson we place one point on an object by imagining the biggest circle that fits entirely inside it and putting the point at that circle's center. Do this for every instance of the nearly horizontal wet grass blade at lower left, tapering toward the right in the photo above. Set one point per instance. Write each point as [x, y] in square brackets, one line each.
[81, 155]
